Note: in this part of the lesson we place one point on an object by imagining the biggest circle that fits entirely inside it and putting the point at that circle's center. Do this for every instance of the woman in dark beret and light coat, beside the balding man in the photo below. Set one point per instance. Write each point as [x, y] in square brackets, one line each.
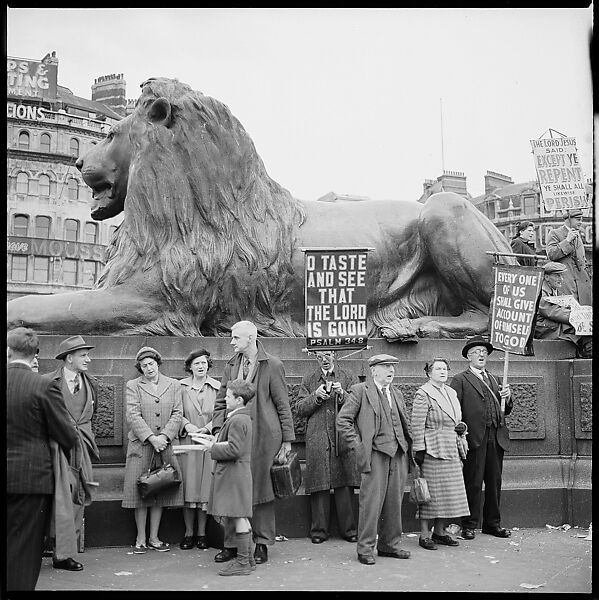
[199, 393]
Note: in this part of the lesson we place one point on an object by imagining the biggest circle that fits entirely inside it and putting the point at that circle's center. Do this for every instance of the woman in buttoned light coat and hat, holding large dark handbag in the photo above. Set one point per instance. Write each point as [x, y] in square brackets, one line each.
[154, 414]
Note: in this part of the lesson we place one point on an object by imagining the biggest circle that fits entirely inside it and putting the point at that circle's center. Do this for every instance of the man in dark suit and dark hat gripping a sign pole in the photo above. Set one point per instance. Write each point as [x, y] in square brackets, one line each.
[481, 398]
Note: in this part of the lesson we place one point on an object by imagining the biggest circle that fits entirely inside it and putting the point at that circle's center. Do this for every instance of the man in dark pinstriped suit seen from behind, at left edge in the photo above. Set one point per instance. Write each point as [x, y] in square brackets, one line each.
[35, 414]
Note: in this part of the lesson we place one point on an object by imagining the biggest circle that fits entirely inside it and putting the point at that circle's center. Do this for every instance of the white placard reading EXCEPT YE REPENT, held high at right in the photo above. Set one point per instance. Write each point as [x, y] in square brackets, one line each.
[559, 173]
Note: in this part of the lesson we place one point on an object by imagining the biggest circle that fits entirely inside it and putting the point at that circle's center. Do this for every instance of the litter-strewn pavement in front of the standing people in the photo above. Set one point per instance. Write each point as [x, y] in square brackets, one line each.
[532, 560]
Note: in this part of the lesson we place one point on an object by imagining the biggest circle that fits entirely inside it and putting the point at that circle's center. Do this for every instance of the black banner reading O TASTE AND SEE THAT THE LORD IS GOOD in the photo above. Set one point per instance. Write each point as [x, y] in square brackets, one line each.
[335, 297]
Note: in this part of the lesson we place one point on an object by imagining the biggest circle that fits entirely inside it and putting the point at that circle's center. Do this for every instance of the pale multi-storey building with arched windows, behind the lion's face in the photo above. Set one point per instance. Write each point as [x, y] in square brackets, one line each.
[53, 245]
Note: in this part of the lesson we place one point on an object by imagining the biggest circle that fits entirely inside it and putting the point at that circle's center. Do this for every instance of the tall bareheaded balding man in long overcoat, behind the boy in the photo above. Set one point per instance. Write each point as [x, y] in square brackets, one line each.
[272, 426]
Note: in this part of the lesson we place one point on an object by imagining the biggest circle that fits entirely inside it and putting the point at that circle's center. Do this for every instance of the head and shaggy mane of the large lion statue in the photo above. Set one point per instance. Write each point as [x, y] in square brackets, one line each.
[199, 208]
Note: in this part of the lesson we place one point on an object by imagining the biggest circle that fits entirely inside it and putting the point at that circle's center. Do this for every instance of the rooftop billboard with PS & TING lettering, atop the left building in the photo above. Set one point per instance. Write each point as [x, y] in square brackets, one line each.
[31, 78]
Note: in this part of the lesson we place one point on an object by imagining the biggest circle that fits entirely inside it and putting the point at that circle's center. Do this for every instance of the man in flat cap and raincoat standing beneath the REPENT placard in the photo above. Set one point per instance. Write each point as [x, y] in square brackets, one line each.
[565, 246]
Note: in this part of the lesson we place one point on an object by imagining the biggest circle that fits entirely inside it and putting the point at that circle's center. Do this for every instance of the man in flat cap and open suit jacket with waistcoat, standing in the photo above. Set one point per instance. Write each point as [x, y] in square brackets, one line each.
[373, 421]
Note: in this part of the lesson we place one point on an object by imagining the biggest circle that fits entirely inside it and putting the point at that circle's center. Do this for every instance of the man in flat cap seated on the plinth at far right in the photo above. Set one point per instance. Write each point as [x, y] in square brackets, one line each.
[553, 320]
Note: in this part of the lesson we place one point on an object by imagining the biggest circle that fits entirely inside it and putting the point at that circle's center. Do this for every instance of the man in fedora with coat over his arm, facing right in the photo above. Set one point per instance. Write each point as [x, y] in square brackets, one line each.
[80, 391]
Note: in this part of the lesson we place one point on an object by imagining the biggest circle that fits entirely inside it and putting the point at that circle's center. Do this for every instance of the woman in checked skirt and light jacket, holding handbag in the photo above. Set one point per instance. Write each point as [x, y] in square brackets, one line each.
[439, 444]
